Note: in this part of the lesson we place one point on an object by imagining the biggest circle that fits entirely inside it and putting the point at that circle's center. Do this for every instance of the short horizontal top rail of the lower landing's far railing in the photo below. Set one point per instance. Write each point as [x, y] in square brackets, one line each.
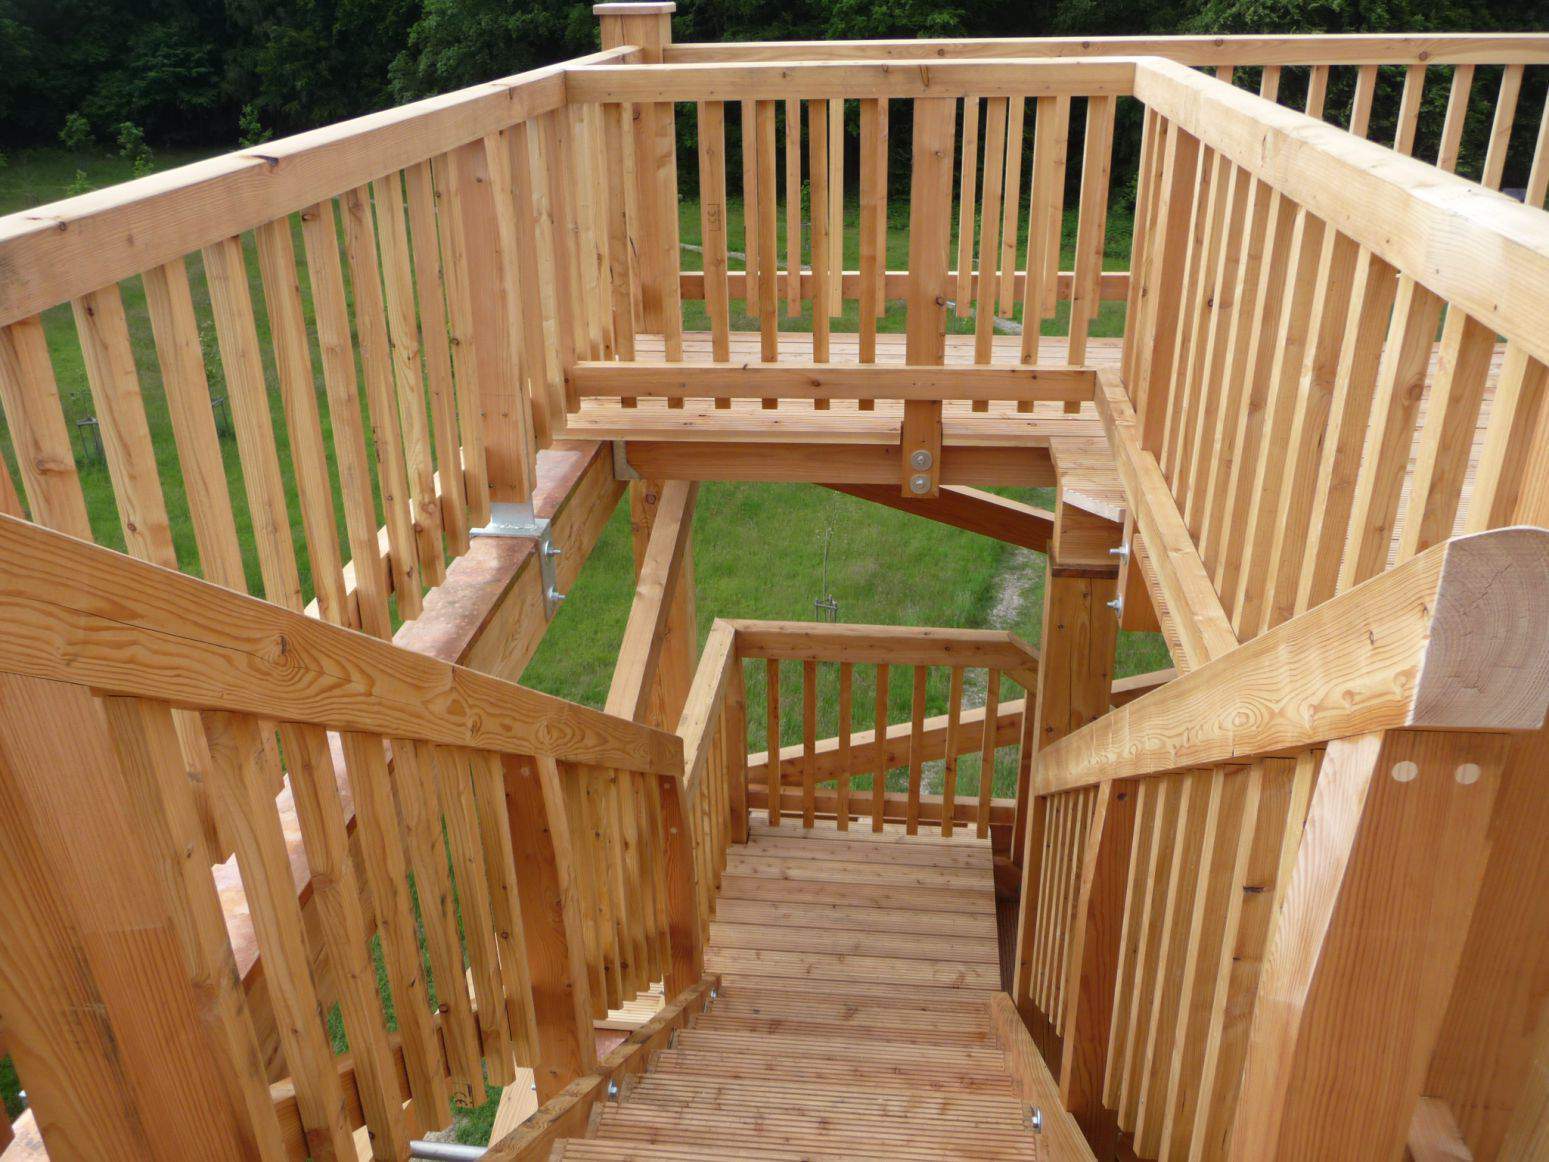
[884, 645]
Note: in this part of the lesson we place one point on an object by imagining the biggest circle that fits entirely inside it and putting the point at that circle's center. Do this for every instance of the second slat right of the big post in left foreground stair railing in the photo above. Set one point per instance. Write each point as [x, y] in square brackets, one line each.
[241, 786]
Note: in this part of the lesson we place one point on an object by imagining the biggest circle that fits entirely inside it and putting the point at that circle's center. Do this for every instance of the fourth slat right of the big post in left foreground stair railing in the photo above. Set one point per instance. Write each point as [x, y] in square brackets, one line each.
[386, 876]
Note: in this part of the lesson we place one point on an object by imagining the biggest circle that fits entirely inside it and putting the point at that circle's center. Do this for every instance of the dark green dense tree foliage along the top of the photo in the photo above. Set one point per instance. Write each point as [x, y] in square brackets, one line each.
[215, 72]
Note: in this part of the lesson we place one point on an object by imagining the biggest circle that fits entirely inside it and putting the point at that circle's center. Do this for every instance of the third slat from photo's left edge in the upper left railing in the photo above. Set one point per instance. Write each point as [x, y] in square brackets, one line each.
[176, 328]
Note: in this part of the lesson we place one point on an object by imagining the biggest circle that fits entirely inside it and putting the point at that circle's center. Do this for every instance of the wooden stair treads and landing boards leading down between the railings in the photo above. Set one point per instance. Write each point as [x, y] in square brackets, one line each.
[859, 1016]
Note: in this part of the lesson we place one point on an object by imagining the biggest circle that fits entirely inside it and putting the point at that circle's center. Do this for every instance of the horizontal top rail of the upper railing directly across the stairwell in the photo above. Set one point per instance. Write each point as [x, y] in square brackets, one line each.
[780, 80]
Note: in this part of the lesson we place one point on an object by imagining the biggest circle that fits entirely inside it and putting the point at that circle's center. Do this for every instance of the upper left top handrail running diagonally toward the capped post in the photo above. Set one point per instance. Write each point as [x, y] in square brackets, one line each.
[60, 252]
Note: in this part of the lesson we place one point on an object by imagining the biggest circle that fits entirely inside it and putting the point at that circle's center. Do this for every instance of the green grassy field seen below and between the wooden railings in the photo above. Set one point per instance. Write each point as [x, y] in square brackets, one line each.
[758, 548]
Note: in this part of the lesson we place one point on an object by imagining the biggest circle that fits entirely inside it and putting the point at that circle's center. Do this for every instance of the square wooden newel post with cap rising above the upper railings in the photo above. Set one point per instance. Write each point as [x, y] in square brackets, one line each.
[653, 150]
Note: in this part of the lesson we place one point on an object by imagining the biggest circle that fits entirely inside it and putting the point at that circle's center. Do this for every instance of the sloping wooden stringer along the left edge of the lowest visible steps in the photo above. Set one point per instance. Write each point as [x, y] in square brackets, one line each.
[568, 1113]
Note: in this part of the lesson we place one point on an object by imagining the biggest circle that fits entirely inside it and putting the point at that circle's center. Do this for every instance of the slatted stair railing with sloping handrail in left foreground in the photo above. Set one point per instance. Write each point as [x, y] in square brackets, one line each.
[481, 836]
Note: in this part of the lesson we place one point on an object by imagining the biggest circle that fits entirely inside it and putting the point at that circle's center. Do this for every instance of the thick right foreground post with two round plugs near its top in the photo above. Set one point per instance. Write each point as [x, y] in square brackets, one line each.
[1367, 946]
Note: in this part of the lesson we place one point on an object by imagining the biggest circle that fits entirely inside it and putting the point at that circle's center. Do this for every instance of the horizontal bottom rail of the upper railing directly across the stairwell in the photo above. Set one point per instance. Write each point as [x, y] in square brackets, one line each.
[802, 380]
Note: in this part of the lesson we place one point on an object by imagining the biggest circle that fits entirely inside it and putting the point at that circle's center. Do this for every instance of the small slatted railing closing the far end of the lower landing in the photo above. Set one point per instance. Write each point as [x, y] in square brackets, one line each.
[795, 782]
